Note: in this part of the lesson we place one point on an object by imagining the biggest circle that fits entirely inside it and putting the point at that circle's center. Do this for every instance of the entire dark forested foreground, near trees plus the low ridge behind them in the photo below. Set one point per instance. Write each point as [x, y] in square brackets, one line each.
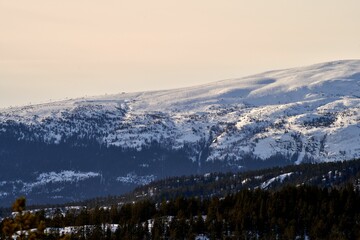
[308, 201]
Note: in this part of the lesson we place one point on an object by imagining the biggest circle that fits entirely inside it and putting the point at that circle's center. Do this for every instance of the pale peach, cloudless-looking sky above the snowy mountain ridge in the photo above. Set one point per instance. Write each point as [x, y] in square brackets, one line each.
[52, 50]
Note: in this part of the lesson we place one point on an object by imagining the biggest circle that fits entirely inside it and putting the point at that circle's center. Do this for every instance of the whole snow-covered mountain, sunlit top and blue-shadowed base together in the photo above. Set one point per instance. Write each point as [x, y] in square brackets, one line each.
[294, 115]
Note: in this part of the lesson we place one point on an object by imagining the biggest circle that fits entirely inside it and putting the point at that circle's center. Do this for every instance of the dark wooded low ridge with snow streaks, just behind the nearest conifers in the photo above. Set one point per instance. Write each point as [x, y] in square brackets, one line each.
[323, 175]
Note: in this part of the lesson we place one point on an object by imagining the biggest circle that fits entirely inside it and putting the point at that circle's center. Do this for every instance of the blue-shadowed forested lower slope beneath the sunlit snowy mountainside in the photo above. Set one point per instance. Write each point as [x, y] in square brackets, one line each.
[59, 173]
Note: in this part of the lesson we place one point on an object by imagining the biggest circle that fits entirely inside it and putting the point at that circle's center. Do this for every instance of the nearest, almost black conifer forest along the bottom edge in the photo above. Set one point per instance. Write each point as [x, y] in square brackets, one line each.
[290, 213]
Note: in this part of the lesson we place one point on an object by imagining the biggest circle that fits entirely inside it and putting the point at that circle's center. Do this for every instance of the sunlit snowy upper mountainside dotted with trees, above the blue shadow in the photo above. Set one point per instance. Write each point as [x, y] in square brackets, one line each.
[303, 113]
